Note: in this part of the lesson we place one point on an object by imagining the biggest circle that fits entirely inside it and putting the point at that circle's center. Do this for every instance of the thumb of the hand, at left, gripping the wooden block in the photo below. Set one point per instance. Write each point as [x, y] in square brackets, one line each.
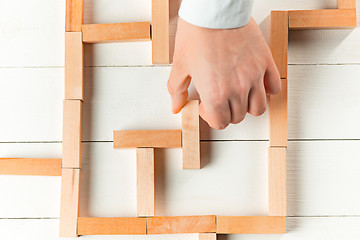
[178, 85]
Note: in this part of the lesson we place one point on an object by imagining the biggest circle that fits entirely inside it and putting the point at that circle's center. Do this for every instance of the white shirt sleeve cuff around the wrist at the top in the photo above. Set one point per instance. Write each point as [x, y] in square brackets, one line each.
[219, 14]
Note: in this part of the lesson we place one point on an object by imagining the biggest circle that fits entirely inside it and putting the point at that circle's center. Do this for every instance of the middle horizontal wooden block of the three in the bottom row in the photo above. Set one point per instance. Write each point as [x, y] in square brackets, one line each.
[183, 224]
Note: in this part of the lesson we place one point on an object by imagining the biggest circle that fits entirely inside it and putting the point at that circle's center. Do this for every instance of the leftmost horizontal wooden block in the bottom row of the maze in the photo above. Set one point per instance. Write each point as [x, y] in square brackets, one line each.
[111, 226]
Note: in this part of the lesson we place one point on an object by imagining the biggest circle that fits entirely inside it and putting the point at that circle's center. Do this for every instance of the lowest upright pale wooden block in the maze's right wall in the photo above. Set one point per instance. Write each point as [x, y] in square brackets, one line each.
[277, 181]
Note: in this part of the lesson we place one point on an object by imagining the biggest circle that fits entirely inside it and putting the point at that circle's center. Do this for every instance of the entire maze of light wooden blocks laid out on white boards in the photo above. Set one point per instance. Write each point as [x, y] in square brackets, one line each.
[69, 167]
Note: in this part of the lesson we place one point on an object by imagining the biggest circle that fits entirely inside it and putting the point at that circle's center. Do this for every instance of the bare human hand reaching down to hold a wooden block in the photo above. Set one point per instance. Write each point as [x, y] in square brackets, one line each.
[232, 70]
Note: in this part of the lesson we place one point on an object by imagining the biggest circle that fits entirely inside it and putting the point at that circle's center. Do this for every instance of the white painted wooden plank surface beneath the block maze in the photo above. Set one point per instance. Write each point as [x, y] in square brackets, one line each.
[124, 91]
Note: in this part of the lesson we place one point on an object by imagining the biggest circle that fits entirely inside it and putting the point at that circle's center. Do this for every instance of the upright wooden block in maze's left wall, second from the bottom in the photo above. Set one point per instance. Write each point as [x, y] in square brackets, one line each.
[71, 148]
